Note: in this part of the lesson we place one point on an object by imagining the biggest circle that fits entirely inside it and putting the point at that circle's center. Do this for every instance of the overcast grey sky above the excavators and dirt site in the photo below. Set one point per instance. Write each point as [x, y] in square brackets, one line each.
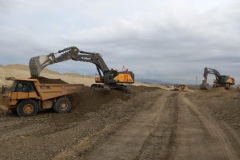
[170, 41]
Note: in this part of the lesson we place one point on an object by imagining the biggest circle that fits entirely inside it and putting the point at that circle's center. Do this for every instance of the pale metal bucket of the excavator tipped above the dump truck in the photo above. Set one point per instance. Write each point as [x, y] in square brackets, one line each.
[37, 64]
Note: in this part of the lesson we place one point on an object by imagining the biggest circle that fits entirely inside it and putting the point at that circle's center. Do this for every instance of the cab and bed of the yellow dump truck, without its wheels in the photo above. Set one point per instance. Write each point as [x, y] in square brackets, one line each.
[36, 90]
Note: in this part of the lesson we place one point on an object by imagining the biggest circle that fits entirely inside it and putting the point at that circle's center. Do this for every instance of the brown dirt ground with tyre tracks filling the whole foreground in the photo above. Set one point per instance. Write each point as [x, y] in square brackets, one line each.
[151, 123]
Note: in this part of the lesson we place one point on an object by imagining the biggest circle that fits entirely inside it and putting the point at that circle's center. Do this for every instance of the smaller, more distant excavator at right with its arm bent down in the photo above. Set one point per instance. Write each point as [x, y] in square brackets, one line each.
[219, 81]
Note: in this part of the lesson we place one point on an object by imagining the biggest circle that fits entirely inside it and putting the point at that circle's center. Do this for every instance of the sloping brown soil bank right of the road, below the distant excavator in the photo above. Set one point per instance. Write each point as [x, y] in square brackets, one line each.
[223, 104]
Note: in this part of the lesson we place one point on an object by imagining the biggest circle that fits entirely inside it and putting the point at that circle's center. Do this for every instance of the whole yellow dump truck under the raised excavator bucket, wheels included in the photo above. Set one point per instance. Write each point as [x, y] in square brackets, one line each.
[28, 96]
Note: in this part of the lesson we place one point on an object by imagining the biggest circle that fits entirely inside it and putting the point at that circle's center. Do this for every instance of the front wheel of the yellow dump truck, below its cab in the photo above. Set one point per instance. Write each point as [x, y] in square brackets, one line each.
[27, 107]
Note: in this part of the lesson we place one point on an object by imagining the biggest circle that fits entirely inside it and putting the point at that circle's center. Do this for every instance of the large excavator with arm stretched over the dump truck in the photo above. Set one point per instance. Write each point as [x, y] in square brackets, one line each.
[108, 78]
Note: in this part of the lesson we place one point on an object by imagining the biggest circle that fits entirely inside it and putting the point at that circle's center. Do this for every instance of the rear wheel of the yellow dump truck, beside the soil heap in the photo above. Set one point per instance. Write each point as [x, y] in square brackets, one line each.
[63, 105]
